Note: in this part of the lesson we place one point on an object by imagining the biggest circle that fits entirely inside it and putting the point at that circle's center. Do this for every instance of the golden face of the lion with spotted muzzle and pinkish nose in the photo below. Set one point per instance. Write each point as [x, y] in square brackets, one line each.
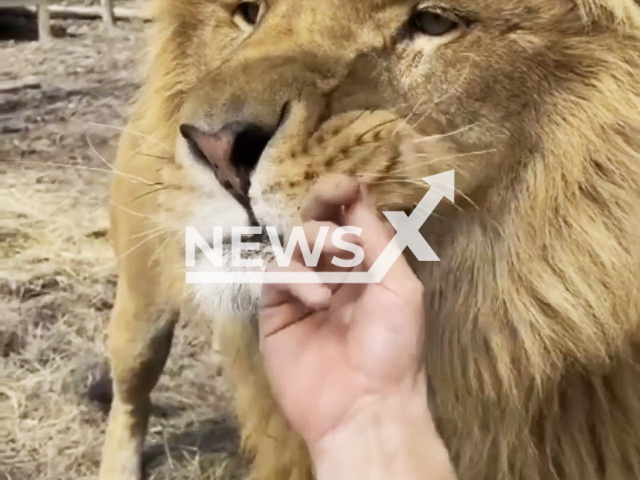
[270, 95]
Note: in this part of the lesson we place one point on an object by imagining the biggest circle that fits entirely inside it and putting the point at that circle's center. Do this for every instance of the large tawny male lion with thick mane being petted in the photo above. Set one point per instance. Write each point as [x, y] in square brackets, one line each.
[533, 311]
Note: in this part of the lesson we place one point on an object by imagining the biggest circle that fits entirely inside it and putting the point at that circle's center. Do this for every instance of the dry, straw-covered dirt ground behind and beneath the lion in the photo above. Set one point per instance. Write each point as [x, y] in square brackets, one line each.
[57, 277]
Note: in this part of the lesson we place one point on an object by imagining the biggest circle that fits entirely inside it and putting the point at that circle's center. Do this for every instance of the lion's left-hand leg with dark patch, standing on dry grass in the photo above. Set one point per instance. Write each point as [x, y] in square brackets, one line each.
[139, 343]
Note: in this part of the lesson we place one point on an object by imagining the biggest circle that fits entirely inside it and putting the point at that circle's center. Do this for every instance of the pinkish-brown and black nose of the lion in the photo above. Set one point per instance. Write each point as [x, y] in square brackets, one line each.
[232, 152]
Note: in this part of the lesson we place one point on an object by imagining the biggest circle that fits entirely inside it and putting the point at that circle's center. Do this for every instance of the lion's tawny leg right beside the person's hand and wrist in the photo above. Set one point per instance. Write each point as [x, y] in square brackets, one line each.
[278, 452]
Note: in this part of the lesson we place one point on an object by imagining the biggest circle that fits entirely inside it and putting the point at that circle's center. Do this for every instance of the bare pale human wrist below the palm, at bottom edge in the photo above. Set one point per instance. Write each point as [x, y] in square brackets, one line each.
[384, 438]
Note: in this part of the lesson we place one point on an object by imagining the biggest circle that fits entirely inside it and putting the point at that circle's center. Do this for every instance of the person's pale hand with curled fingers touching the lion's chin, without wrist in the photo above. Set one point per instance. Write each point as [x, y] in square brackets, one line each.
[333, 352]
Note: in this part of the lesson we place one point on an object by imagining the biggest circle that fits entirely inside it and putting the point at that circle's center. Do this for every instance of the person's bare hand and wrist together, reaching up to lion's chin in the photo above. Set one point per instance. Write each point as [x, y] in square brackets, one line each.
[345, 362]
